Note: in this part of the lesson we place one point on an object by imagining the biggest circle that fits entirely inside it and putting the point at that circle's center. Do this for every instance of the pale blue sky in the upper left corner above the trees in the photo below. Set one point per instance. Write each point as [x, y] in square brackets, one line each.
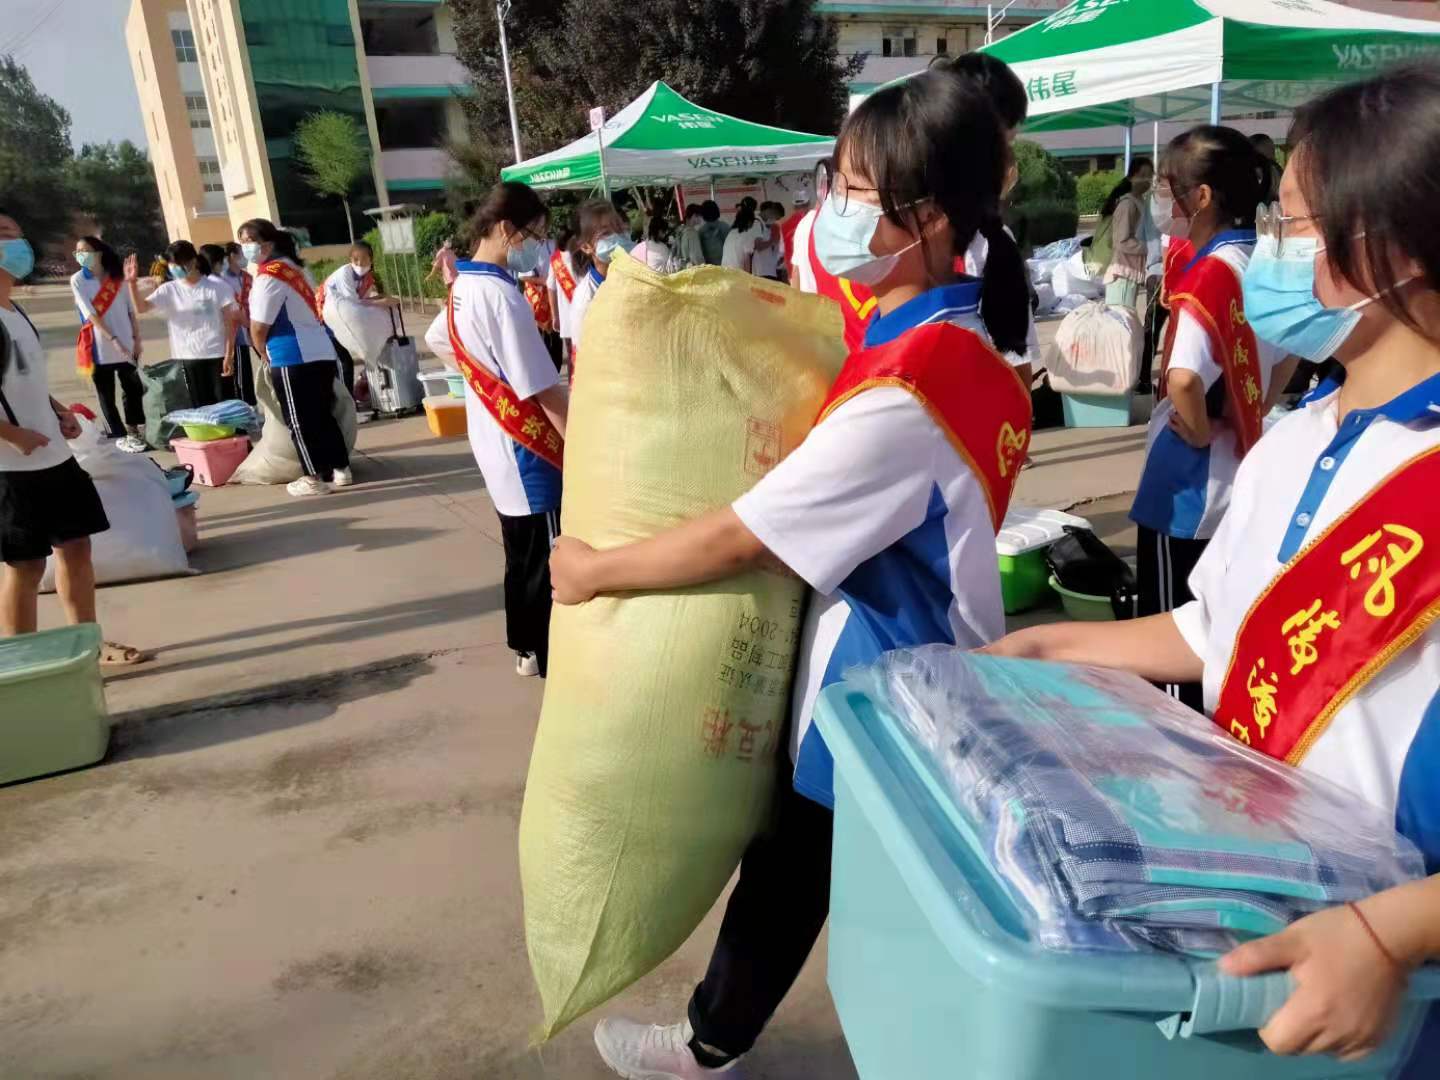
[76, 53]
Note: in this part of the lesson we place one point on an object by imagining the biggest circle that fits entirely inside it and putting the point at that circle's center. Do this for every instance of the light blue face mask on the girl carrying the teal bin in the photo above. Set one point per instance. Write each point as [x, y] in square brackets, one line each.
[1281, 302]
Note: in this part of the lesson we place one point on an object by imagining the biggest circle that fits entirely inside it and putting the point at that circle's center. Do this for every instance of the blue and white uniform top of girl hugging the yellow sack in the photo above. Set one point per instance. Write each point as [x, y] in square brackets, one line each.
[891, 528]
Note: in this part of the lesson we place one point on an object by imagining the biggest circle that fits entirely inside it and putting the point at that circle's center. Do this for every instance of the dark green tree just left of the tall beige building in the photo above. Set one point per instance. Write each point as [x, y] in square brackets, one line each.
[116, 185]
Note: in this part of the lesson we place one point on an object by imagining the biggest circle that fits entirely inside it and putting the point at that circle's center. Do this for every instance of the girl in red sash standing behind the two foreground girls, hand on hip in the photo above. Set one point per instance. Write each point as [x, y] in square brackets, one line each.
[1215, 372]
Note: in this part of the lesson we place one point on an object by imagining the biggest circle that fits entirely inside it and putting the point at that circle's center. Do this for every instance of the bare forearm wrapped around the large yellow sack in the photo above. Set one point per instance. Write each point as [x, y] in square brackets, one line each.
[703, 551]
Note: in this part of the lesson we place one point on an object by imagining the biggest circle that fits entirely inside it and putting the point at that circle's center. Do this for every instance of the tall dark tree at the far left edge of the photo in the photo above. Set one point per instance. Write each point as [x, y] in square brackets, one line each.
[35, 149]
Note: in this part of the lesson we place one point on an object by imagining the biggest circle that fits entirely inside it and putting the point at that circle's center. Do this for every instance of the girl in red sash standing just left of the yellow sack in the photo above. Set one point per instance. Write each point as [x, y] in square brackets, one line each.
[515, 404]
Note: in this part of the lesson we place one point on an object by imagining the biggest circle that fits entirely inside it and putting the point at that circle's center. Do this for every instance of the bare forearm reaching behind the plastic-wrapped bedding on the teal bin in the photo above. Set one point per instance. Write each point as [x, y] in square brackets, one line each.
[1151, 649]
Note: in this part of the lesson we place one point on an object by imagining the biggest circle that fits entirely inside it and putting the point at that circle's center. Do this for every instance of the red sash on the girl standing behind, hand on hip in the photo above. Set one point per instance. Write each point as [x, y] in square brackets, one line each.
[1210, 292]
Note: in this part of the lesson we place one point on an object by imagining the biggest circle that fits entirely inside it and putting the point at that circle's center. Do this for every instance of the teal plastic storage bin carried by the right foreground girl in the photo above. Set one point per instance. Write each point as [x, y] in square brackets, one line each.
[935, 978]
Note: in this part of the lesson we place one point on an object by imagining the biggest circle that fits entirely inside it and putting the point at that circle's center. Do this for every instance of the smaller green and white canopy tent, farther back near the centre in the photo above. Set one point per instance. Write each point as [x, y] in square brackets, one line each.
[663, 139]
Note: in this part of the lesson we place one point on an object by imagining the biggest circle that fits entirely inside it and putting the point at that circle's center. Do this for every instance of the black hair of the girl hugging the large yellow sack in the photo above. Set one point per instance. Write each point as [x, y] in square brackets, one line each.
[938, 138]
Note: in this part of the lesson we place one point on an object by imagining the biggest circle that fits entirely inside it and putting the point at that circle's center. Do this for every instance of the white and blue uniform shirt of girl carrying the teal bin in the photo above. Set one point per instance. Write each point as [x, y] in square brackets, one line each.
[1385, 744]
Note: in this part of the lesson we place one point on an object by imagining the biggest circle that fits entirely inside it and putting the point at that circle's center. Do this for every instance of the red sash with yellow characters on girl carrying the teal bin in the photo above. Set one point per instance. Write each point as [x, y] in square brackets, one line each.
[1338, 613]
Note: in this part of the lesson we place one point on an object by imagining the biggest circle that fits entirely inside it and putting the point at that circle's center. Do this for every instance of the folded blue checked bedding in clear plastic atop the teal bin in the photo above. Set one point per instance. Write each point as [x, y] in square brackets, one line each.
[1122, 820]
